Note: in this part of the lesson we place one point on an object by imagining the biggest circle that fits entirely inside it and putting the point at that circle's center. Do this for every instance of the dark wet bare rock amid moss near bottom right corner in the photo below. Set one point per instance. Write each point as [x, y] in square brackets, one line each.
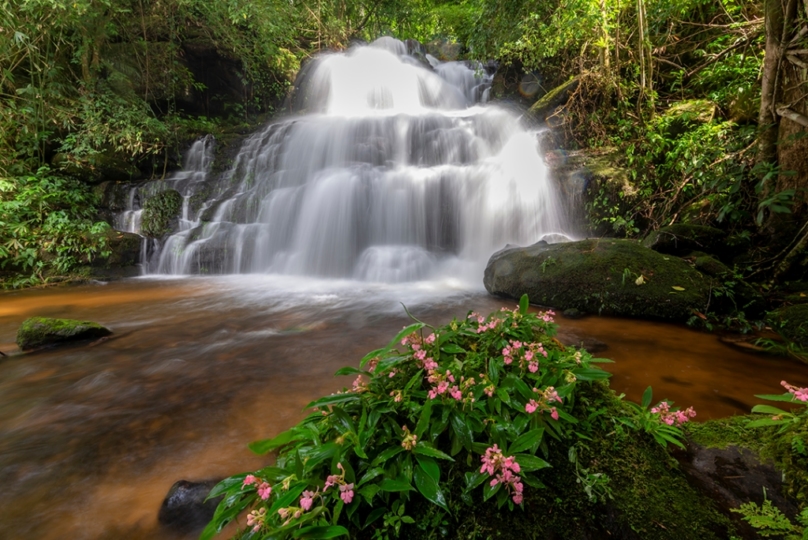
[733, 476]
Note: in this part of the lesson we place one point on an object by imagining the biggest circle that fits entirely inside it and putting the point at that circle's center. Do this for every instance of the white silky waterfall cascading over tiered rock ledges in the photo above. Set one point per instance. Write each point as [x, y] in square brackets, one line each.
[393, 173]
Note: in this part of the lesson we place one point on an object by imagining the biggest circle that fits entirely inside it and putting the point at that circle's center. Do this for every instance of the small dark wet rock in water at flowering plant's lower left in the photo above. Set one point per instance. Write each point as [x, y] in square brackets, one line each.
[185, 509]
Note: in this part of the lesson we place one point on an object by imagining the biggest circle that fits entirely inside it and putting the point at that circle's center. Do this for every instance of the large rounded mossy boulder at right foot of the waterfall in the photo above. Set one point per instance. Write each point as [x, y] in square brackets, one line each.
[606, 276]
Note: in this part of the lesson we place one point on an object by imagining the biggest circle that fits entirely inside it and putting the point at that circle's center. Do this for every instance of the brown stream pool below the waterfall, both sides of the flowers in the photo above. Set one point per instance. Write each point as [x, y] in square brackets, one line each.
[93, 436]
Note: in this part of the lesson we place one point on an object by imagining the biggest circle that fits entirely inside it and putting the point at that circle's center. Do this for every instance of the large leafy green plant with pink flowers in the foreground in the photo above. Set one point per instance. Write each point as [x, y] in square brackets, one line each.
[476, 397]
